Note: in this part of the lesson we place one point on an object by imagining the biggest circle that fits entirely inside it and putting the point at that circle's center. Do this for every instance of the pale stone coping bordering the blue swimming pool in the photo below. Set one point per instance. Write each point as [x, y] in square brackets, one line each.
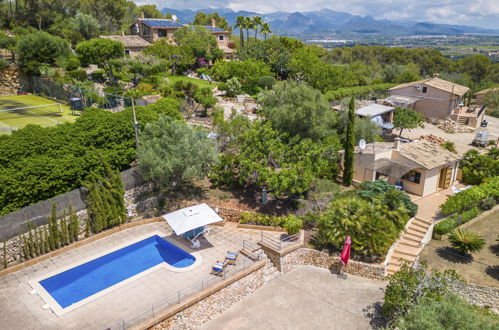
[59, 310]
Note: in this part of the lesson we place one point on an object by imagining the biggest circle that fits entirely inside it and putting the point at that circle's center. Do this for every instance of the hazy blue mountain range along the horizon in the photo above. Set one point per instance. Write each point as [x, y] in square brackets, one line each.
[326, 21]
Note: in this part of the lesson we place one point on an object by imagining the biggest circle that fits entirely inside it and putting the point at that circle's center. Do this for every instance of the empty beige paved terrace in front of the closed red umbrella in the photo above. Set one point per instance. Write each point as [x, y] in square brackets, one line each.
[305, 298]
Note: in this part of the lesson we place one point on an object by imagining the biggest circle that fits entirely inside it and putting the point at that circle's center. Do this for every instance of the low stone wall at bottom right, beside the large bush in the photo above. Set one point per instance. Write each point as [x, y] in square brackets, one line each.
[478, 295]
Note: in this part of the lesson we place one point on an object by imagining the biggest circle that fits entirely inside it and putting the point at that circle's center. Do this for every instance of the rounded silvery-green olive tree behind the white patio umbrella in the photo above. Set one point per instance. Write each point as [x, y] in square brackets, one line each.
[172, 154]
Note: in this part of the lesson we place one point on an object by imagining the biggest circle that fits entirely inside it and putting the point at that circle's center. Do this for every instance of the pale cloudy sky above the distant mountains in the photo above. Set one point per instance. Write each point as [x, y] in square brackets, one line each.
[483, 13]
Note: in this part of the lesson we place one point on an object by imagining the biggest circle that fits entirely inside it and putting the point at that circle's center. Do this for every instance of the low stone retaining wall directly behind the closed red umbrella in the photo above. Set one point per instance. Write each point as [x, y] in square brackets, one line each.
[316, 258]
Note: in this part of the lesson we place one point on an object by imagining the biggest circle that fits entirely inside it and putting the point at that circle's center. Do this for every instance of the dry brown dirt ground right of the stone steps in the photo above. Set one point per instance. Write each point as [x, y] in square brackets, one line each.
[481, 267]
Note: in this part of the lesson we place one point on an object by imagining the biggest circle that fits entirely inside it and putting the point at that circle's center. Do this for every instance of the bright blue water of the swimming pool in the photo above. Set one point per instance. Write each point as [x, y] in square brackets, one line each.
[78, 283]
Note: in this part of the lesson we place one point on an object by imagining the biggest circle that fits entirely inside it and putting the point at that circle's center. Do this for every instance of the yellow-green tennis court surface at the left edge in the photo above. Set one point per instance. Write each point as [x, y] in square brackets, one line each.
[43, 116]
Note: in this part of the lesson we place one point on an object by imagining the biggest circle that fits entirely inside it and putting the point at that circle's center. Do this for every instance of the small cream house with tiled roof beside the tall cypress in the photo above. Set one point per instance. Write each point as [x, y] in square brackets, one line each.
[420, 168]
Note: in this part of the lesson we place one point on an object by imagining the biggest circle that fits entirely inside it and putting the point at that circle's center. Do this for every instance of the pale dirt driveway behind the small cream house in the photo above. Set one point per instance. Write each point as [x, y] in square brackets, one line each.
[461, 140]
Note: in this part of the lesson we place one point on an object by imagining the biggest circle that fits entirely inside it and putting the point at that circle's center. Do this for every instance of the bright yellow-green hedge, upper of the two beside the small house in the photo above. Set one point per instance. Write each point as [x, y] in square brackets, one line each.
[471, 197]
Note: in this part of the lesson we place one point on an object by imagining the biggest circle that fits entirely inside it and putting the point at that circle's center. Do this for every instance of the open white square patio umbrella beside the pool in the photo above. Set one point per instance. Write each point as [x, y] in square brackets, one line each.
[191, 218]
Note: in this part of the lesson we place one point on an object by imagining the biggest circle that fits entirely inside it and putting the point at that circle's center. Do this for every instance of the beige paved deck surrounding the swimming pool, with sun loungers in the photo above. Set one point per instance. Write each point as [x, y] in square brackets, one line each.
[21, 310]
